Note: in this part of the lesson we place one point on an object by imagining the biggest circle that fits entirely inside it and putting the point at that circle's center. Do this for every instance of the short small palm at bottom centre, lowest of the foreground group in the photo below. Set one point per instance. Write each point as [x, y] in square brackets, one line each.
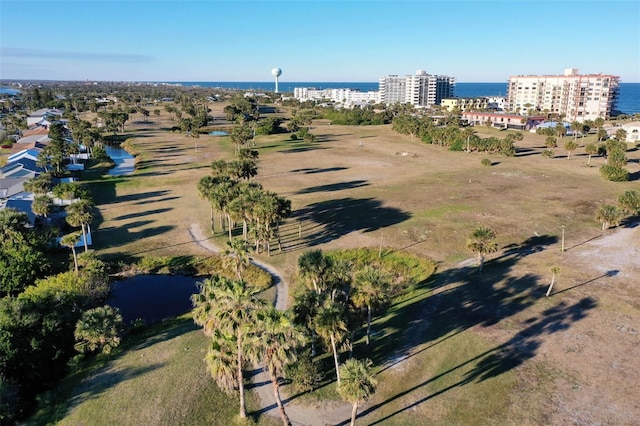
[358, 383]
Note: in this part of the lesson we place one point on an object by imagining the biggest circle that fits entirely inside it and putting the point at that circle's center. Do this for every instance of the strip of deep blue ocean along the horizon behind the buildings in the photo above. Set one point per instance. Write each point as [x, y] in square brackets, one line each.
[628, 100]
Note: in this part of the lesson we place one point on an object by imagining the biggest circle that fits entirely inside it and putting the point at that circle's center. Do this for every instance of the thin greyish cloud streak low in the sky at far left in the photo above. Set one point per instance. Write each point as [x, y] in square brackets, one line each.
[18, 52]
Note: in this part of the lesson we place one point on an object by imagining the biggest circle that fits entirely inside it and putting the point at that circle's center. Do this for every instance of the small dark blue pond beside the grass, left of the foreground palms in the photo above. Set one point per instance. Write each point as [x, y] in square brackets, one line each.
[153, 297]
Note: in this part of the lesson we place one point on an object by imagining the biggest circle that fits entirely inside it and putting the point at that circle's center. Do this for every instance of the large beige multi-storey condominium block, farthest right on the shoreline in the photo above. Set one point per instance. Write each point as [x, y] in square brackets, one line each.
[577, 97]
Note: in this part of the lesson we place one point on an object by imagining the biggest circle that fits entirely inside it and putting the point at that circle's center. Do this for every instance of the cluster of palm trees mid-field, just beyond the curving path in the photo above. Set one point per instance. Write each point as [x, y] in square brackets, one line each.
[231, 192]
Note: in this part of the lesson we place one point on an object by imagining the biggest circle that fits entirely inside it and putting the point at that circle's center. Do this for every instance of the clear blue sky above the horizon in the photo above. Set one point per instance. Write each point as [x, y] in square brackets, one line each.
[217, 40]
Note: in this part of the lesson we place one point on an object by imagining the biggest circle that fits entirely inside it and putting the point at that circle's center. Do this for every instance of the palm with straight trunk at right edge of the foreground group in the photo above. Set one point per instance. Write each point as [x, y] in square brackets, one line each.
[371, 290]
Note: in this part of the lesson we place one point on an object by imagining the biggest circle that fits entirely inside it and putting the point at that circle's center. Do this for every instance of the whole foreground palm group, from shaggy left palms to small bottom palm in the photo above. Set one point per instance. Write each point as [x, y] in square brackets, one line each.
[245, 331]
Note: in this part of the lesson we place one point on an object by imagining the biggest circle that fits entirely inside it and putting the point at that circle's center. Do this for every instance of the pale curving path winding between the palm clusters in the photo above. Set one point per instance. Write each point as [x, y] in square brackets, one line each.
[319, 415]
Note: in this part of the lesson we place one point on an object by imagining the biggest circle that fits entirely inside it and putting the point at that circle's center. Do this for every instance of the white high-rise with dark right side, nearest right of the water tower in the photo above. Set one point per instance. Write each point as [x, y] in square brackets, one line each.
[421, 90]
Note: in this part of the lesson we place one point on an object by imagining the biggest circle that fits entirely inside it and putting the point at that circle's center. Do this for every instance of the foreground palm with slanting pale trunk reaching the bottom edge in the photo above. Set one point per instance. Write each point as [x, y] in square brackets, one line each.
[279, 340]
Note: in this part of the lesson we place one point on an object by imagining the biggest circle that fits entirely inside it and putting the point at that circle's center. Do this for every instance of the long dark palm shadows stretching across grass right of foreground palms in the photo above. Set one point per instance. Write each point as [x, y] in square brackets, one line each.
[458, 299]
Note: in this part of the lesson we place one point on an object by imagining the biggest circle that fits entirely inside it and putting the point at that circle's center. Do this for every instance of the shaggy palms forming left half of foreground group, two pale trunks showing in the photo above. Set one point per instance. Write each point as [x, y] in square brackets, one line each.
[243, 331]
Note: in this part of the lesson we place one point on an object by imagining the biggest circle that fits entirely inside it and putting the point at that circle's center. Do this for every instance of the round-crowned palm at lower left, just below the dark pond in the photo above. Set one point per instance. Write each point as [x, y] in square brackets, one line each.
[98, 329]
